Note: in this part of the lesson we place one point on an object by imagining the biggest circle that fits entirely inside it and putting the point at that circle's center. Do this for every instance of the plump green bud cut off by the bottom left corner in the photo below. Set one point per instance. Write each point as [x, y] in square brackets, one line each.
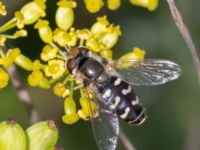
[12, 136]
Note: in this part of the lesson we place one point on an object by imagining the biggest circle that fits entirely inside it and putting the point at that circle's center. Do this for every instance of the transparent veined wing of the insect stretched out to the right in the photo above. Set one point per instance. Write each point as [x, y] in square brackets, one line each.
[146, 72]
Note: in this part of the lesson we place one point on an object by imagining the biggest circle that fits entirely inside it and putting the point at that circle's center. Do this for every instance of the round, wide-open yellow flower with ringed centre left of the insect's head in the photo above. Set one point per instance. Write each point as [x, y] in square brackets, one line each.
[55, 68]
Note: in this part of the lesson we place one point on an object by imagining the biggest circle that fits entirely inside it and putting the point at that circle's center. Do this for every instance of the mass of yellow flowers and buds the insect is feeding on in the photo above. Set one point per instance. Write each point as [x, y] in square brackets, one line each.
[49, 70]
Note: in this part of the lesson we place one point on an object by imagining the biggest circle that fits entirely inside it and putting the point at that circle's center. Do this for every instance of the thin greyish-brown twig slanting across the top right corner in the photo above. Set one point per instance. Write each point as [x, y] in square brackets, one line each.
[178, 19]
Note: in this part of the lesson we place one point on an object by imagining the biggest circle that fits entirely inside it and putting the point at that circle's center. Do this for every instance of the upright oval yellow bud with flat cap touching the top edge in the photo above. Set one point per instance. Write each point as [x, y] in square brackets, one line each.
[64, 14]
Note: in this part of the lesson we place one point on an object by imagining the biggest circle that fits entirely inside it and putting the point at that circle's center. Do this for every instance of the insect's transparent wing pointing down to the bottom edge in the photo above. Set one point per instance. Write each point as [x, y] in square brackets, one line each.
[105, 127]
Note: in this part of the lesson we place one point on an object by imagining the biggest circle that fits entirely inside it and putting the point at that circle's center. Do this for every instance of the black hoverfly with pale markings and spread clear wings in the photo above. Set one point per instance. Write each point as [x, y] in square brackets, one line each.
[111, 81]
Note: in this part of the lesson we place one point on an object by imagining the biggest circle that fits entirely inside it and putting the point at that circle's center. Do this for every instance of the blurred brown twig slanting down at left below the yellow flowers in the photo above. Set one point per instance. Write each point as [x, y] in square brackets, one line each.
[23, 94]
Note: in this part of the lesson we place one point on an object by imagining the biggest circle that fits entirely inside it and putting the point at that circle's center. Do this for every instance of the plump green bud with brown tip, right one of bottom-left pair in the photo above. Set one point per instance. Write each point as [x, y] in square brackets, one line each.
[42, 135]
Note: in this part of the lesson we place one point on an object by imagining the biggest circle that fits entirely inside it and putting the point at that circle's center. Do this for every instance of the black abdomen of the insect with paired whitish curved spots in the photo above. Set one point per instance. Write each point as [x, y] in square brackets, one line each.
[119, 96]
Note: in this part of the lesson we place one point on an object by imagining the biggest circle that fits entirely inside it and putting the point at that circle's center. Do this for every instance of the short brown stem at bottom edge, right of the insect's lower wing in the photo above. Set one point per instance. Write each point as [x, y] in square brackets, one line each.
[125, 140]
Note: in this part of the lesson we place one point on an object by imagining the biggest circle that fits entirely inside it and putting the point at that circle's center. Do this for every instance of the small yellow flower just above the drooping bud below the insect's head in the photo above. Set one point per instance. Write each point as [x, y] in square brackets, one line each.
[60, 90]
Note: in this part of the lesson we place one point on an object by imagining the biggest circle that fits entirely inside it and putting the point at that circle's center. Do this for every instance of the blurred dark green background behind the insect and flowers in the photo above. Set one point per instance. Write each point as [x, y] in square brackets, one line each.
[173, 109]
